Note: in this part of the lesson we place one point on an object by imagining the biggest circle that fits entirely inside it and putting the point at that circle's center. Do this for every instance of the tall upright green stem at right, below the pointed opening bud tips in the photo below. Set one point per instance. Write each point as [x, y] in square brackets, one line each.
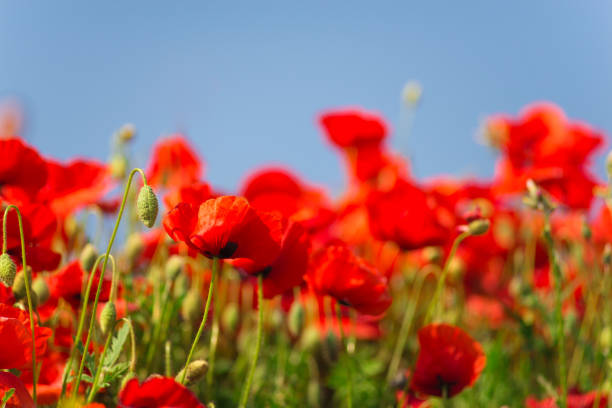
[558, 312]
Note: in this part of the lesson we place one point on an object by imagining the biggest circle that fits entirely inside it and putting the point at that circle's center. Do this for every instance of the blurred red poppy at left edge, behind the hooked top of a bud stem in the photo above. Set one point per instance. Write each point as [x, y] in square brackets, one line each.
[39, 226]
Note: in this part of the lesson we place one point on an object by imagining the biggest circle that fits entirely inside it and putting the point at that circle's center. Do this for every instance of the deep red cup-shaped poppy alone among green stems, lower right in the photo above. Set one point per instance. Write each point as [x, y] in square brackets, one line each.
[448, 359]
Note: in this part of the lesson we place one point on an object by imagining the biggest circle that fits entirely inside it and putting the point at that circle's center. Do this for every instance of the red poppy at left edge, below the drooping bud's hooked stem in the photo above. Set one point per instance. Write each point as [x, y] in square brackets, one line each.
[15, 335]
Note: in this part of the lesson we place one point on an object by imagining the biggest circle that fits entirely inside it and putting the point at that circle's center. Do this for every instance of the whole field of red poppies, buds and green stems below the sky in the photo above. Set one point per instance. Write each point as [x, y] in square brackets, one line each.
[128, 284]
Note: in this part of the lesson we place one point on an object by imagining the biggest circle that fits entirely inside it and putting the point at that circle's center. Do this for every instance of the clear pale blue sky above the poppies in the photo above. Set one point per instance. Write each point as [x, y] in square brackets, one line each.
[246, 80]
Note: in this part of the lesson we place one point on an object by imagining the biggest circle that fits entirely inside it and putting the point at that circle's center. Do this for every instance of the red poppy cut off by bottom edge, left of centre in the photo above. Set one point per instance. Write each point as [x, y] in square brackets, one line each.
[157, 392]
